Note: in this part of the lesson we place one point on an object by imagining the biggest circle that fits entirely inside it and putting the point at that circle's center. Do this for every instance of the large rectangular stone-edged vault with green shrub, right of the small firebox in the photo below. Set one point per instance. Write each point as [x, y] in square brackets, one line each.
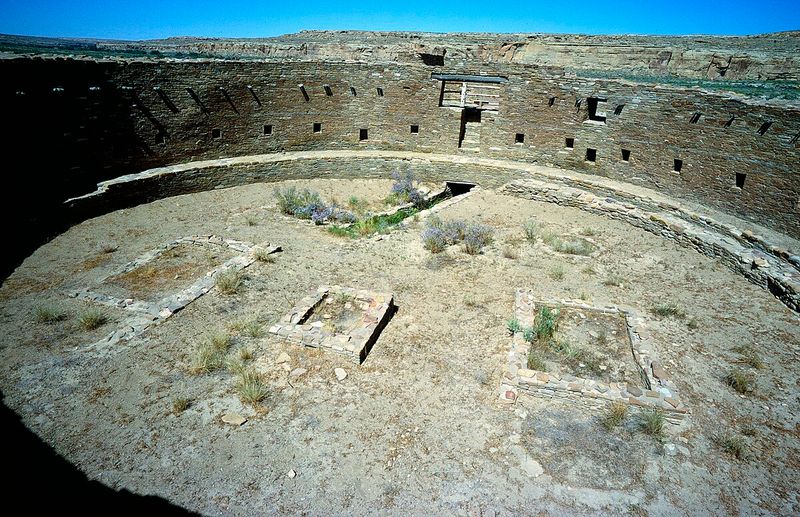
[645, 385]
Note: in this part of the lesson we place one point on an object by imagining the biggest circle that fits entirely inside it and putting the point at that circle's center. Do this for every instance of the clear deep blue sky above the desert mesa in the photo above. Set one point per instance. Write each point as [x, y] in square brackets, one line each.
[146, 19]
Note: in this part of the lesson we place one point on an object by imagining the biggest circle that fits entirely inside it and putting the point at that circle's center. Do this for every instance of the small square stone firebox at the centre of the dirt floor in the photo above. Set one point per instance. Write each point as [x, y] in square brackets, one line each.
[341, 319]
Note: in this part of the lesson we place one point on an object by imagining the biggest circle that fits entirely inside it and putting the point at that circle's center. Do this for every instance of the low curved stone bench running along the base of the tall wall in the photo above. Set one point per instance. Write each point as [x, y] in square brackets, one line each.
[771, 266]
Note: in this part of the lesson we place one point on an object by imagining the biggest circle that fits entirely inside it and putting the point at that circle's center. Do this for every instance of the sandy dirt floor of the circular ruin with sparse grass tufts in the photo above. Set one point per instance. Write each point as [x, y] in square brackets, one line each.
[417, 429]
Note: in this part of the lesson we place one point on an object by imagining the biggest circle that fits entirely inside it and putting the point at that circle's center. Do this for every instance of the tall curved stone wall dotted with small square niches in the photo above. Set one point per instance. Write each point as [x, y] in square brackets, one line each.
[102, 119]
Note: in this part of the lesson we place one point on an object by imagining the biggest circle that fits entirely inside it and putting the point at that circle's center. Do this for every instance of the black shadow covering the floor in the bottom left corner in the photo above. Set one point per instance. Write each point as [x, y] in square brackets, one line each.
[36, 474]
